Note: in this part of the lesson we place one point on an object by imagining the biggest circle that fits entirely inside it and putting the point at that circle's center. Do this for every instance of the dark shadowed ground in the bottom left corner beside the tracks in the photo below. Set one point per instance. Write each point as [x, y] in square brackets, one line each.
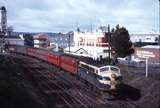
[15, 90]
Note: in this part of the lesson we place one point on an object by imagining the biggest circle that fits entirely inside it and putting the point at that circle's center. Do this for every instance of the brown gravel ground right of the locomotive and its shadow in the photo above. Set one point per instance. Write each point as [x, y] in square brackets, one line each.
[149, 87]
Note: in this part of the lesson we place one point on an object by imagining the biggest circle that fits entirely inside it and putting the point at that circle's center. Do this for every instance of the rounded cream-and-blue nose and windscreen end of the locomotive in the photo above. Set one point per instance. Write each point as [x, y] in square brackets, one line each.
[109, 77]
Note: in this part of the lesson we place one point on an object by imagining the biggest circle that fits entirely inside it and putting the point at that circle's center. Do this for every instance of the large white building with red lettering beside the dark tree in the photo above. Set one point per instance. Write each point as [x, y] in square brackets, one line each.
[89, 44]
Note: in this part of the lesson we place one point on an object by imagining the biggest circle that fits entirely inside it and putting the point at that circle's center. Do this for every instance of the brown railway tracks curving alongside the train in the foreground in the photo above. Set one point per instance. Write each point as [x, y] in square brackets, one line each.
[62, 90]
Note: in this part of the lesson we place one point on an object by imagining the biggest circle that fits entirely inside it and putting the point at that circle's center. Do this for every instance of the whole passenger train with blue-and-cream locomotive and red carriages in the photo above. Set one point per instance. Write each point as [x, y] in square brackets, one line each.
[104, 78]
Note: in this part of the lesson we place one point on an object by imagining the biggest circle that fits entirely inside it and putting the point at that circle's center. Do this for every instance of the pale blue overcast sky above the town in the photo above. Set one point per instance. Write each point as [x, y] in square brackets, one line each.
[64, 15]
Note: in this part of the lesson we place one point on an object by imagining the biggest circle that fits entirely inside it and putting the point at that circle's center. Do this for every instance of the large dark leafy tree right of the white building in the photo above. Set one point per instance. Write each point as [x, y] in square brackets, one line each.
[120, 42]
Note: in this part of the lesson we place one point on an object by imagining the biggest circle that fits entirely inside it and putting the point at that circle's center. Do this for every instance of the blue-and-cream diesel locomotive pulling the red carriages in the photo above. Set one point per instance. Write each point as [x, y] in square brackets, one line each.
[105, 78]
